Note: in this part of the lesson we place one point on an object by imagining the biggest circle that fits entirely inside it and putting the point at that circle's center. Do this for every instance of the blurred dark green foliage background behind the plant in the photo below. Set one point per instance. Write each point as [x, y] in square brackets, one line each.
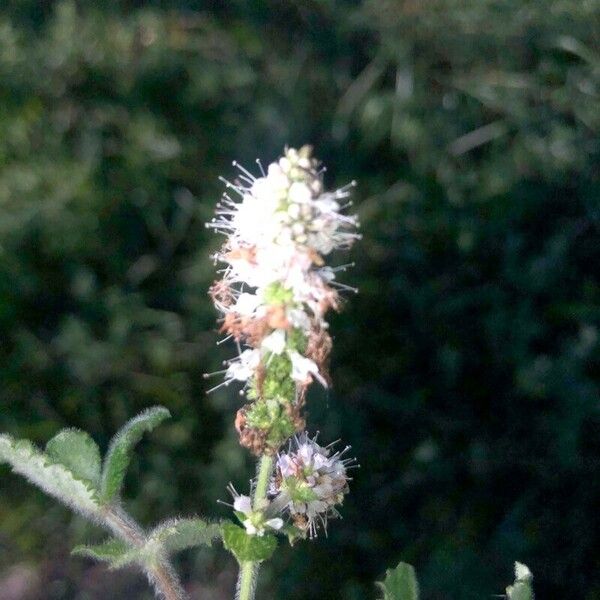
[466, 370]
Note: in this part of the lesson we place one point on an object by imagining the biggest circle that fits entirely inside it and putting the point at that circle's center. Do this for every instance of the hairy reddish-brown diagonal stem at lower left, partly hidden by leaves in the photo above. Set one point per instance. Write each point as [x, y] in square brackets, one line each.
[160, 575]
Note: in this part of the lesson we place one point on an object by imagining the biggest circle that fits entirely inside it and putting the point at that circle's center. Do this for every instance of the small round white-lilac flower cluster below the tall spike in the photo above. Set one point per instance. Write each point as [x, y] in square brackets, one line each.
[309, 482]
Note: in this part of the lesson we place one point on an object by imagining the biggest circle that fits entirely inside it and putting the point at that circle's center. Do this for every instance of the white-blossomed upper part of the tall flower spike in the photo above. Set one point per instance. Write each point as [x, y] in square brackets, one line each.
[278, 232]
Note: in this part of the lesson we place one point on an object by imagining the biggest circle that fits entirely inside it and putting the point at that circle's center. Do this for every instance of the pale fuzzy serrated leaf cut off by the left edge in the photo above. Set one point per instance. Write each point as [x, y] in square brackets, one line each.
[53, 478]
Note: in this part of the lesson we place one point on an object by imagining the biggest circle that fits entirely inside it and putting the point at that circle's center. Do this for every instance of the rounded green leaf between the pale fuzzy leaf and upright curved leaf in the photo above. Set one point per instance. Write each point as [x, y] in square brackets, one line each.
[78, 452]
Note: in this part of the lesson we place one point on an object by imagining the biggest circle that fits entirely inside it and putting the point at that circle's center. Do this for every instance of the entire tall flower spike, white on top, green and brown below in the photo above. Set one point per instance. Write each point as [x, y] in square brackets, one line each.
[276, 289]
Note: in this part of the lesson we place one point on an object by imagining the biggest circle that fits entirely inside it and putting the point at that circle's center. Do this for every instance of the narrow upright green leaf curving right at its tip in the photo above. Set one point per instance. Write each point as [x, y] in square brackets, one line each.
[119, 452]
